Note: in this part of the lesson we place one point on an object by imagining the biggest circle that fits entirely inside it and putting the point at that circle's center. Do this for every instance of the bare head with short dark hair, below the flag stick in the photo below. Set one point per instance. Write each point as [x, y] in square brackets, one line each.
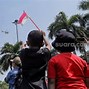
[35, 38]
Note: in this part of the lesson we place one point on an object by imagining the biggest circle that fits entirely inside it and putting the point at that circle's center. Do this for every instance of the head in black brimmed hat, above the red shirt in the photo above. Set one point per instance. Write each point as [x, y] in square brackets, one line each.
[64, 41]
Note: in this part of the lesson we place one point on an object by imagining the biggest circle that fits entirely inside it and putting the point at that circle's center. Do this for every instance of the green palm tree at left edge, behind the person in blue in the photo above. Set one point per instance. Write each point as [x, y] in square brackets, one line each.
[8, 52]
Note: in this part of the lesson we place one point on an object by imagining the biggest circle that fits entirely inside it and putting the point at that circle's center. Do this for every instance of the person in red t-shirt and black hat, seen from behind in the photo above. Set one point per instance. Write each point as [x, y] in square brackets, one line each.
[66, 70]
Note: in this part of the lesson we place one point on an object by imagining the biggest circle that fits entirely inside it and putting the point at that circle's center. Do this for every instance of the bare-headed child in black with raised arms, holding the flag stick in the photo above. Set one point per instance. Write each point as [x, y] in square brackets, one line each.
[34, 60]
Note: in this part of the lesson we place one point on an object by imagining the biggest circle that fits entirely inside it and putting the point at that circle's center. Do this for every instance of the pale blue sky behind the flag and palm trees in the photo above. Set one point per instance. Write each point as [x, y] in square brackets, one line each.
[43, 12]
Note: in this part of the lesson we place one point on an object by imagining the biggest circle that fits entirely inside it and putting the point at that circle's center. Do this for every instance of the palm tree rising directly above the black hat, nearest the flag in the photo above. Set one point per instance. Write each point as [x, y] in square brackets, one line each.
[60, 22]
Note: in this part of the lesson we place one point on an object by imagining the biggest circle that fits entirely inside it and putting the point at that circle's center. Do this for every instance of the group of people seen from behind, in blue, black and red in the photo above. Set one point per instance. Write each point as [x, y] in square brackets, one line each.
[65, 70]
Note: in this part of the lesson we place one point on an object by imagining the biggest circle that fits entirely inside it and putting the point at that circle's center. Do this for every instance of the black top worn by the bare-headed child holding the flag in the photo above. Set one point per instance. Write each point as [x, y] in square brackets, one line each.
[32, 59]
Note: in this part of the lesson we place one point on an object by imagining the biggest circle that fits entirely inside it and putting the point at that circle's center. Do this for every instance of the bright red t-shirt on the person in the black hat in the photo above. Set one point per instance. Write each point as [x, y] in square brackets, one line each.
[69, 71]
